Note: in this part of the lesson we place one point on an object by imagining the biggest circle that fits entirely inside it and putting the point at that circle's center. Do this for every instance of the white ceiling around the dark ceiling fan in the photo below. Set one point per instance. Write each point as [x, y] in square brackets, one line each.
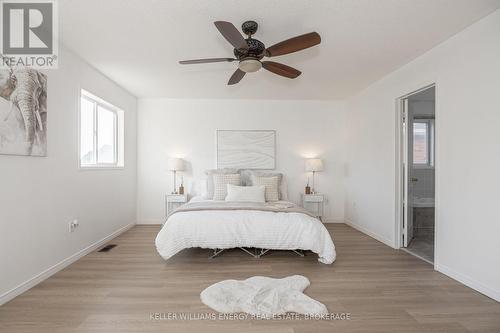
[138, 43]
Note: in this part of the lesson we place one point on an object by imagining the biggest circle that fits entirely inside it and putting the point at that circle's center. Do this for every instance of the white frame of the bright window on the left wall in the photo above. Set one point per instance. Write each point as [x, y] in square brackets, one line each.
[99, 102]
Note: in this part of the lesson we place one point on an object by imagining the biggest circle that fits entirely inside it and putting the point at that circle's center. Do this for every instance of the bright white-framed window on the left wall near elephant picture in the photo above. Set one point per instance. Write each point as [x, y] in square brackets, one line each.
[101, 133]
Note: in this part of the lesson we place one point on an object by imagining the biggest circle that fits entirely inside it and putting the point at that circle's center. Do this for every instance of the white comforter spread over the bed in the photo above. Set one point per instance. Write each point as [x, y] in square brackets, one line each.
[224, 229]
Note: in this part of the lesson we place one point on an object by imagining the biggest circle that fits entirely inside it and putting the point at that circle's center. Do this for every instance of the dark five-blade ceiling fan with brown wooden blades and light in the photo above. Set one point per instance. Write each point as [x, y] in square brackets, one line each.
[250, 51]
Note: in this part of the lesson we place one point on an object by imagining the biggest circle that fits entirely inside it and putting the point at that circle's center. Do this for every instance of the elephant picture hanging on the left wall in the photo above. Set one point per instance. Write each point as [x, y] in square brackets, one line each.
[23, 112]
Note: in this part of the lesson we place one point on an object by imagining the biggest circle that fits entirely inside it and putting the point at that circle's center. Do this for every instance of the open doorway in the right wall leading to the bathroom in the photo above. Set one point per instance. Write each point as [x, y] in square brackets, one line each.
[417, 173]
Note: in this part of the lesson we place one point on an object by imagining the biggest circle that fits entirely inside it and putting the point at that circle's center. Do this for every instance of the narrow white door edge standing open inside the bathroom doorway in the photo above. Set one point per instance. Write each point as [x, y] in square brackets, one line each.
[408, 177]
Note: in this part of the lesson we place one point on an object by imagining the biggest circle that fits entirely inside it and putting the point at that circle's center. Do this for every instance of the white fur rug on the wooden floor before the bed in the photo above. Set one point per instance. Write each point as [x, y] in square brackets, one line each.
[262, 296]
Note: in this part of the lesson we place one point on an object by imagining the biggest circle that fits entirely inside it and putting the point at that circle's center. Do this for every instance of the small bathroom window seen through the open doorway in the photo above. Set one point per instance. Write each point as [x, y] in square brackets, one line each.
[423, 143]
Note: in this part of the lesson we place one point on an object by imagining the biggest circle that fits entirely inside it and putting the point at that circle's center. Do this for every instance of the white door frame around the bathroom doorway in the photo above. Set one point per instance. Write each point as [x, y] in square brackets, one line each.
[400, 156]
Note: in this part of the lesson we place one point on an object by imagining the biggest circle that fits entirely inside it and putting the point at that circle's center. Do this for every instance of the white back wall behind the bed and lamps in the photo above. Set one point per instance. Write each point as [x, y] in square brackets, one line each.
[186, 128]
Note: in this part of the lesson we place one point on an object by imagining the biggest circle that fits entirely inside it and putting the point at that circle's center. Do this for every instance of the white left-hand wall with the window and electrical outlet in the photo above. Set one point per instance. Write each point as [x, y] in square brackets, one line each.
[40, 195]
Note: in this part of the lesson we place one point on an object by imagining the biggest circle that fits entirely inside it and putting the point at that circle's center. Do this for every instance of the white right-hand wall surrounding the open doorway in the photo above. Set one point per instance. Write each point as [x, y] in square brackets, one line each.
[466, 70]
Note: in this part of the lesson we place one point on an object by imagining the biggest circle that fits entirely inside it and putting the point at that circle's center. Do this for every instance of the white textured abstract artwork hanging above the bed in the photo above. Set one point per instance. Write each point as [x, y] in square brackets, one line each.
[246, 149]
